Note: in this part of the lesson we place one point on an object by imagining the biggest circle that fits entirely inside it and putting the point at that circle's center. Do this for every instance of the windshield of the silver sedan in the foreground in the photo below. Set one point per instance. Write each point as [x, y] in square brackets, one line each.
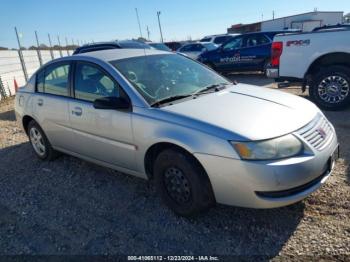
[158, 77]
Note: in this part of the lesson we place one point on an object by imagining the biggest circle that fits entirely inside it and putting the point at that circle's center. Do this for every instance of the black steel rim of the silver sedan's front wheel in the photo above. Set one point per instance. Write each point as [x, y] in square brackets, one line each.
[177, 185]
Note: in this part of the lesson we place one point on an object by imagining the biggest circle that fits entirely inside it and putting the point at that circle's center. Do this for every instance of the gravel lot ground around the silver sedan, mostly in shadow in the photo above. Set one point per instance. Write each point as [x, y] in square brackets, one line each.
[70, 206]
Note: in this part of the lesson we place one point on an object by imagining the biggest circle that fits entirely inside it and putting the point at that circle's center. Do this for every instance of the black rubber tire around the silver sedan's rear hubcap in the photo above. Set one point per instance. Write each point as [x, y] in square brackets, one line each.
[49, 153]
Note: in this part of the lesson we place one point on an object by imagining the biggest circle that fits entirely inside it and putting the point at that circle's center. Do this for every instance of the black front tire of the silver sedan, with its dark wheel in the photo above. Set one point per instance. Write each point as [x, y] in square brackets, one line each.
[196, 193]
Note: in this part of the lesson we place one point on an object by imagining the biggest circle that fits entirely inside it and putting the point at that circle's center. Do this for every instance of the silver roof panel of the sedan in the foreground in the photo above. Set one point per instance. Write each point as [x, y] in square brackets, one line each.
[118, 54]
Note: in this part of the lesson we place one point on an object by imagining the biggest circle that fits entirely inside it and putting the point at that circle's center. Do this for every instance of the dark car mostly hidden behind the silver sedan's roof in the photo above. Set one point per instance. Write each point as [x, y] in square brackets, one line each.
[111, 45]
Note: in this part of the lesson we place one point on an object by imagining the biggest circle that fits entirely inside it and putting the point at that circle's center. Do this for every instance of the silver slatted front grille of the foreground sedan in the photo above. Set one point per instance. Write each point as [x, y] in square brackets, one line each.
[318, 133]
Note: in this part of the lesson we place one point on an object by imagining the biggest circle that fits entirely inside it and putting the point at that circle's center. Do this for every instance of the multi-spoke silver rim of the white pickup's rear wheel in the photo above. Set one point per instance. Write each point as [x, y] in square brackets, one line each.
[333, 89]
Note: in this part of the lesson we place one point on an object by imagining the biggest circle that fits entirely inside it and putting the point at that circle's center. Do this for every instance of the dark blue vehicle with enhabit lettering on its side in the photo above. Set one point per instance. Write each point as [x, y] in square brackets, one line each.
[247, 52]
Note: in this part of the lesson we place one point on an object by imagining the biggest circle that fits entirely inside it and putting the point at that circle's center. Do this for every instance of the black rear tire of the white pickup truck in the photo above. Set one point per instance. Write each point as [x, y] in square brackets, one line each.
[341, 74]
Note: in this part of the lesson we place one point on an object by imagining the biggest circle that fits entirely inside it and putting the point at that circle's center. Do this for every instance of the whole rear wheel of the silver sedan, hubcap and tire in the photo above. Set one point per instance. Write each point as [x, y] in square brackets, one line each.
[40, 143]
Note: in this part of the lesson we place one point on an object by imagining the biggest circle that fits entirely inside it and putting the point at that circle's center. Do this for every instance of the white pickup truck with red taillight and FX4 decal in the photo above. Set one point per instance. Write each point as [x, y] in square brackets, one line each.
[318, 60]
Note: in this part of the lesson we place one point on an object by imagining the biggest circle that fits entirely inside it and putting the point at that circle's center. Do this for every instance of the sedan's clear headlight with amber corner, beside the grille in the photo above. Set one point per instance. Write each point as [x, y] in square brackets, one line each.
[281, 147]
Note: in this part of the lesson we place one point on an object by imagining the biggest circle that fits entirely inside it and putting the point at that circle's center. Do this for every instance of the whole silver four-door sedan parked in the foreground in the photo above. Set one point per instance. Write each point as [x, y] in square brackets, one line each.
[161, 116]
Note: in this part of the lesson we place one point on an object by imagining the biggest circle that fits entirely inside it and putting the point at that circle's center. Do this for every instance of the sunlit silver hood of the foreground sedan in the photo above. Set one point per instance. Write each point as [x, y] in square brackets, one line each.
[250, 112]
